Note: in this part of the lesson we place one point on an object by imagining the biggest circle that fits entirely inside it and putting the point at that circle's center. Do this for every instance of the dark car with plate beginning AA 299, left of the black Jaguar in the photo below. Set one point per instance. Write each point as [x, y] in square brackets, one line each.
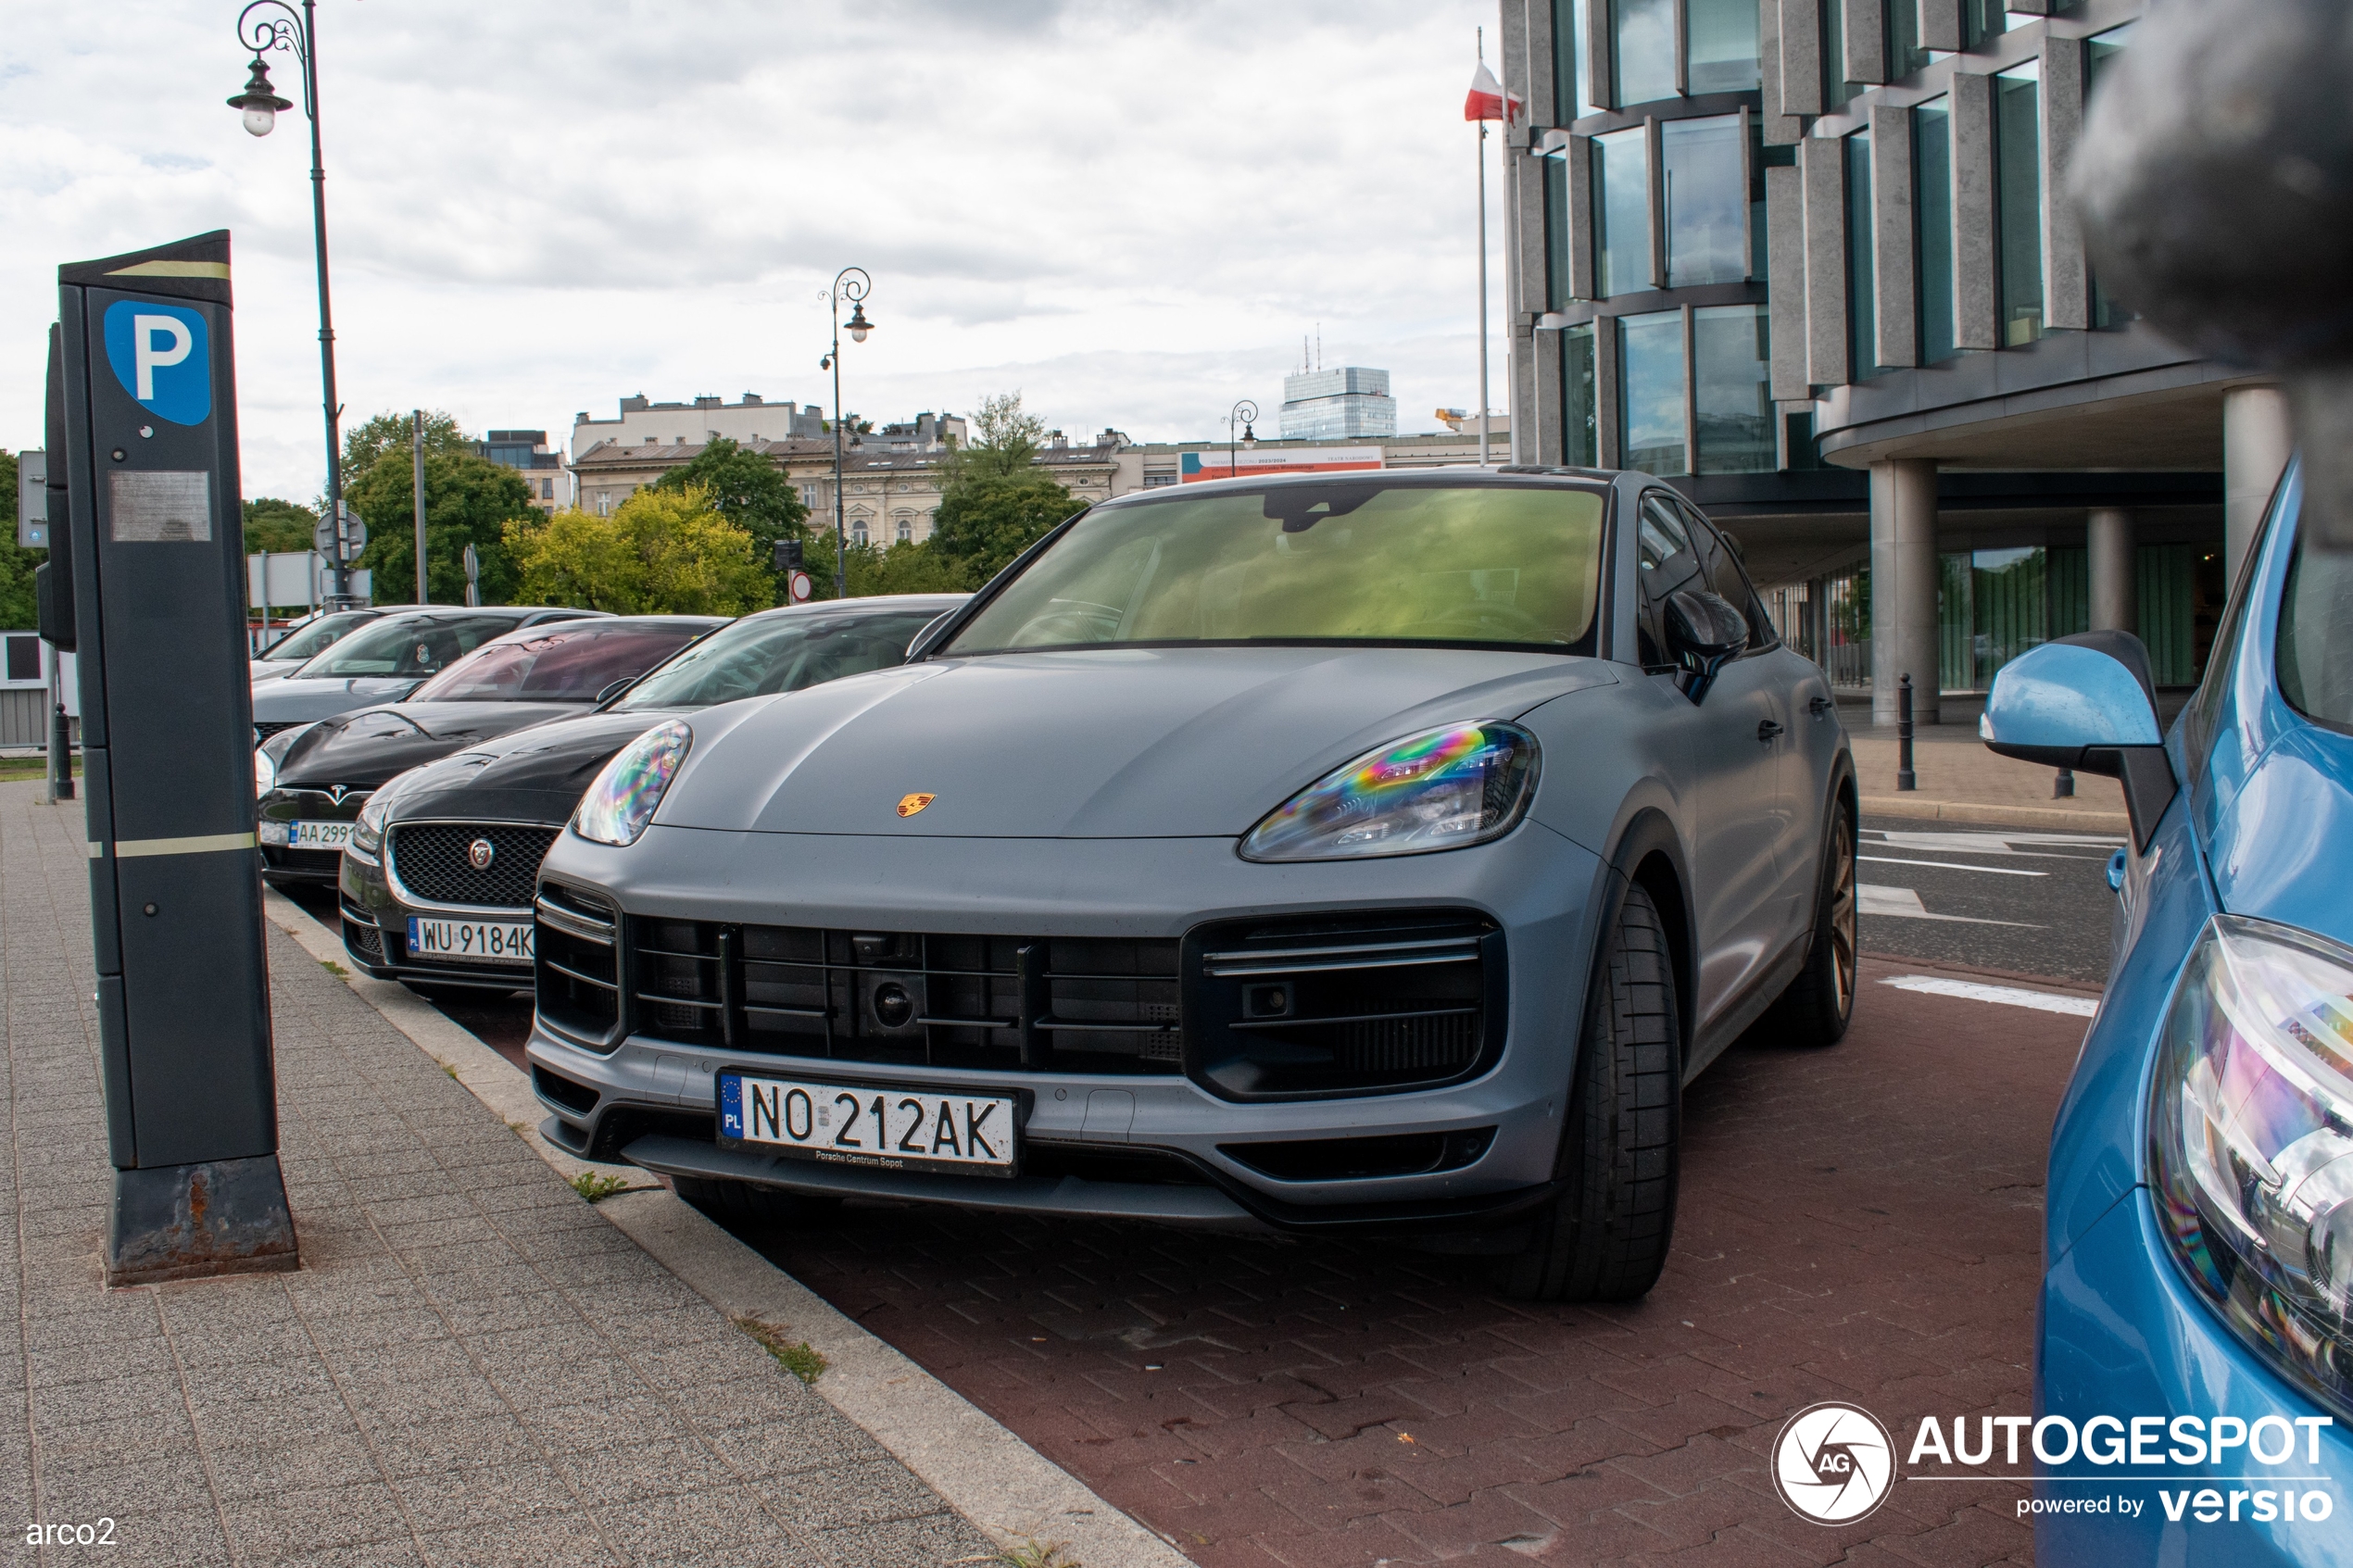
[314, 782]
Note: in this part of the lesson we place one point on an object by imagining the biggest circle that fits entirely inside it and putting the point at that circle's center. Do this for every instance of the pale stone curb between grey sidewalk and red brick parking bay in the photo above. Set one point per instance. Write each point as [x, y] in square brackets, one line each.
[975, 1463]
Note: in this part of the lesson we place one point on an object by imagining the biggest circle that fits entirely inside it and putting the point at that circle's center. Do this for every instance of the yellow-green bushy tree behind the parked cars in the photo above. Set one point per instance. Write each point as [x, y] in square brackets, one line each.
[662, 551]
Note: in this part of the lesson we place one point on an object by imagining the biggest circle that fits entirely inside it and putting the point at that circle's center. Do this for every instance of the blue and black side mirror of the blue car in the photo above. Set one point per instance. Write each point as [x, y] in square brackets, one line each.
[2086, 704]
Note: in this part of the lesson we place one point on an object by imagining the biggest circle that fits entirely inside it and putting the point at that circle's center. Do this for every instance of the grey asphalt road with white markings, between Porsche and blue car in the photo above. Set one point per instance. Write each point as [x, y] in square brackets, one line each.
[2032, 904]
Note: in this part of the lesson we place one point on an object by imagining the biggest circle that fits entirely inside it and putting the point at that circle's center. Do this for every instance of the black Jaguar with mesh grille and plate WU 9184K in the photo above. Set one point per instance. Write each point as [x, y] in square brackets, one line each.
[441, 864]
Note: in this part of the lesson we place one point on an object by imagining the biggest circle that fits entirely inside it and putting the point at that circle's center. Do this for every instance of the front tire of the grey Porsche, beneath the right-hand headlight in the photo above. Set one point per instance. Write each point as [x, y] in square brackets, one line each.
[1604, 1240]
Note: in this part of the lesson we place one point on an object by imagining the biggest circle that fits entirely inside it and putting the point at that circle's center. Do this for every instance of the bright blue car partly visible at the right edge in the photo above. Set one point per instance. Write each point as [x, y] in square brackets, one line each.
[2199, 1254]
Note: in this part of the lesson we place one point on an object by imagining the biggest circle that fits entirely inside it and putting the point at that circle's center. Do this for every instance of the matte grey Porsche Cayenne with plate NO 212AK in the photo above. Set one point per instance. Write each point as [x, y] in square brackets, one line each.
[1338, 852]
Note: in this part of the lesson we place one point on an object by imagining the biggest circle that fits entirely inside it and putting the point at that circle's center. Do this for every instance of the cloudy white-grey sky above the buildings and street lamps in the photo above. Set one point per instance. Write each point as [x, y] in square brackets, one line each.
[1131, 210]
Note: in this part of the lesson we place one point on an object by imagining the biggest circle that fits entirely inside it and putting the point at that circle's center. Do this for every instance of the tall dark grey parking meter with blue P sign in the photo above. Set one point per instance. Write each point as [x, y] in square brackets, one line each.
[175, 899]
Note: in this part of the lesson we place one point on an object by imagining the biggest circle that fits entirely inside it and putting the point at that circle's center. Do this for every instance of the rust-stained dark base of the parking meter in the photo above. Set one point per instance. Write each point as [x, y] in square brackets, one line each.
[218, 1217]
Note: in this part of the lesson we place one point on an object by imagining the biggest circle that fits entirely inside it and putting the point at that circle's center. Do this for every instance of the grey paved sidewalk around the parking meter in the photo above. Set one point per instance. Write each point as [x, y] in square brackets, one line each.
[472, 1365]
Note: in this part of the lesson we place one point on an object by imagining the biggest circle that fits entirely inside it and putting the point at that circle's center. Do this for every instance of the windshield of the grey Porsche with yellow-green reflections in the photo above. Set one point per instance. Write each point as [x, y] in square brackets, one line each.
[1342, 563]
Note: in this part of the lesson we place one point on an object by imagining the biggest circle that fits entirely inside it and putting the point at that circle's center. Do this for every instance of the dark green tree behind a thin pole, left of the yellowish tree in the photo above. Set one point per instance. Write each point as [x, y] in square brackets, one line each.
[469, 502]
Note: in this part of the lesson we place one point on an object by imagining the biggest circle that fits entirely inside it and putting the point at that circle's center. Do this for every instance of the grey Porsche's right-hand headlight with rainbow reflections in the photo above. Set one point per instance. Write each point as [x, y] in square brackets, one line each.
[1444, 789]
